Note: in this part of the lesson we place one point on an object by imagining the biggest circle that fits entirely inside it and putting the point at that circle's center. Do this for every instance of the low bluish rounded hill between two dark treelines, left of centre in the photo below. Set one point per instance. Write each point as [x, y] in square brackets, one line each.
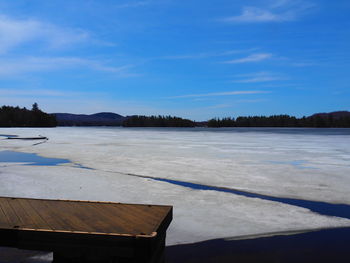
[97, 119]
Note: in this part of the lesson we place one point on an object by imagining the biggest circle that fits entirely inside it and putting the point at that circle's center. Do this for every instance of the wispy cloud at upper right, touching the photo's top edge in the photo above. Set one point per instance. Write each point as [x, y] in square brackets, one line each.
[277, 11]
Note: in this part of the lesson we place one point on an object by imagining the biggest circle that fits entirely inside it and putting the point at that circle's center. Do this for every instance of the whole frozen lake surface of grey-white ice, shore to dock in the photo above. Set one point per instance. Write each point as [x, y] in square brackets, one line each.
[121, 164]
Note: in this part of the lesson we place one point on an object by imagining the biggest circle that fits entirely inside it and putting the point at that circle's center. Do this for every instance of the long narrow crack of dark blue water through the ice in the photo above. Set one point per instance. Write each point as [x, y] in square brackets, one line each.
[340, 210]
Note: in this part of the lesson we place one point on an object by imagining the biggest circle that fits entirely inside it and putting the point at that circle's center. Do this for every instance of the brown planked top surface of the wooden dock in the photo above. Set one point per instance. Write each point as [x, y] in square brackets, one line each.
[81, 216]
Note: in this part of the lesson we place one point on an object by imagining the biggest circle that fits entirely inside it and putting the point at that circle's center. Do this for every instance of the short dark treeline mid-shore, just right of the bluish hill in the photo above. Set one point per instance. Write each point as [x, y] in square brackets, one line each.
[157, 121]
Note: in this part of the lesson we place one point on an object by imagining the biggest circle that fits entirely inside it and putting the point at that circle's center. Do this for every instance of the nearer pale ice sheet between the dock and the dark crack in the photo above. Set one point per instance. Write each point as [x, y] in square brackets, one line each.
[198, 215]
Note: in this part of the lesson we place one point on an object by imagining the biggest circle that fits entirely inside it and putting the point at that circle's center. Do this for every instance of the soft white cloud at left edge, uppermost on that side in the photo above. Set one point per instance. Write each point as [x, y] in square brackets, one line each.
[15, 32]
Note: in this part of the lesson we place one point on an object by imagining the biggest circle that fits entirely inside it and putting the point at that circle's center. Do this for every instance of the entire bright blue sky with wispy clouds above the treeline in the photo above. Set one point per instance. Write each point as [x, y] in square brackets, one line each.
[194, 59]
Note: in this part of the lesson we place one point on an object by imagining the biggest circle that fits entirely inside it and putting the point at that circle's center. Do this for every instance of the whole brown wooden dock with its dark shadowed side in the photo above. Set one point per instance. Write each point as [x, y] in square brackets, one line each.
[84, 231]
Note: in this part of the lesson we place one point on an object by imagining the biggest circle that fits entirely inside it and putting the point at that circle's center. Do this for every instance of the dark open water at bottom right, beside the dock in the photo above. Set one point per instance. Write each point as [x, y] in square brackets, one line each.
[324, 246]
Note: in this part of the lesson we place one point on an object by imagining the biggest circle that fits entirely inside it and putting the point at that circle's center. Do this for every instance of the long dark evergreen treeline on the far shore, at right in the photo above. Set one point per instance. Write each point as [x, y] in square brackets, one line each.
[317, 121]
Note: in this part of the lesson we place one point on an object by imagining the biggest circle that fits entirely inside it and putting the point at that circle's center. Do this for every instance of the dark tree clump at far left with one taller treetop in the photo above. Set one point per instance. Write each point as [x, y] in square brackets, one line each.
[22, 117]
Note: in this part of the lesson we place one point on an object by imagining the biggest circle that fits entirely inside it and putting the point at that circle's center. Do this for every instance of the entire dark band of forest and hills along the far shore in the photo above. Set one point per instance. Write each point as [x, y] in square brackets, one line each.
[22, 117]
